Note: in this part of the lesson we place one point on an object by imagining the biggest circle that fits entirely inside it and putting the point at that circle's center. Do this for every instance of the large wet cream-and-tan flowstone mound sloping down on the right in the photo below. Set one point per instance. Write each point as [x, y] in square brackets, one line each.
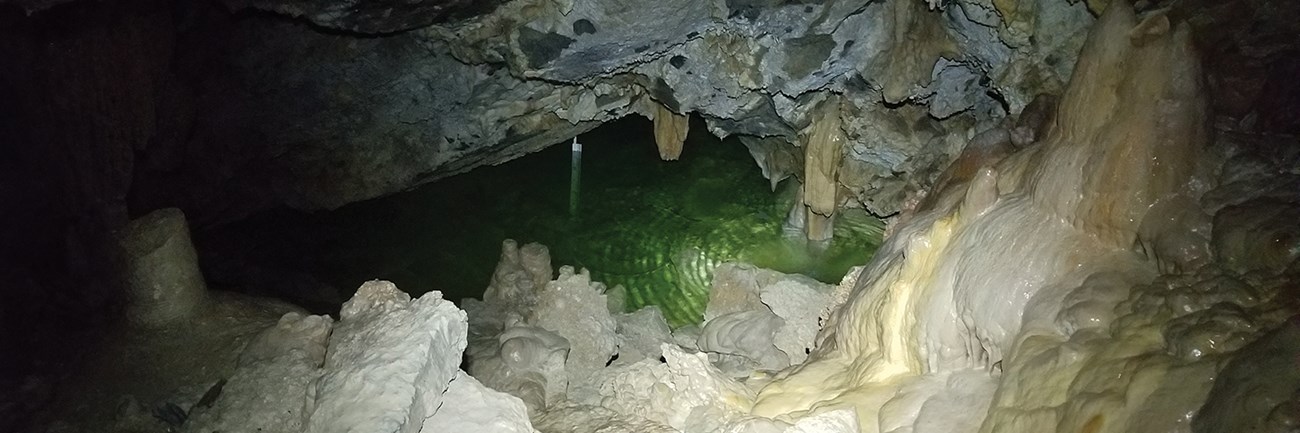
[1028, 271]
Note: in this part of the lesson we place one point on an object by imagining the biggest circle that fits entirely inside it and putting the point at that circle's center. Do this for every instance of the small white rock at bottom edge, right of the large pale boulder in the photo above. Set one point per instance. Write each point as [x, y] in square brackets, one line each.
[469, 406]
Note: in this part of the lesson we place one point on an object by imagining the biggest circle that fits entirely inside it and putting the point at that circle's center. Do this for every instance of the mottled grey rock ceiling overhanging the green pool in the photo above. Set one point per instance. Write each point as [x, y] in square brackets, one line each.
[320, 112]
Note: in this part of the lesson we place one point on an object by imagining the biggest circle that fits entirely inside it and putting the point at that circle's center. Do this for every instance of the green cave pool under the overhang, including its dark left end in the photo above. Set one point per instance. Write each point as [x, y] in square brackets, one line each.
[657, 228]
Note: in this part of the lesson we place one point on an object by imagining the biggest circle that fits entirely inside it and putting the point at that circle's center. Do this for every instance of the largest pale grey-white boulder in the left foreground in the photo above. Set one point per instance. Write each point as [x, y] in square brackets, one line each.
[389, 362]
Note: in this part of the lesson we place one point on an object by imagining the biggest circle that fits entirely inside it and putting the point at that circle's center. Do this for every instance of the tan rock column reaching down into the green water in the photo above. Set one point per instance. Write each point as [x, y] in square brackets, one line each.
[824, 148]
